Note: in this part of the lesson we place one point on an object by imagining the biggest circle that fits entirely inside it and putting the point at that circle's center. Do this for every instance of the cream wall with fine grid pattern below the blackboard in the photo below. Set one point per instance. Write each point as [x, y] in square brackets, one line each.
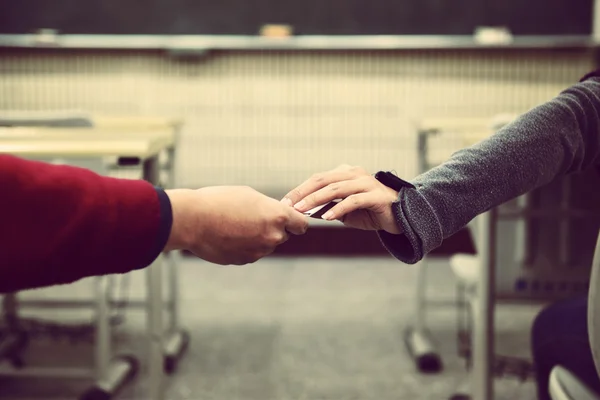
[269, 120]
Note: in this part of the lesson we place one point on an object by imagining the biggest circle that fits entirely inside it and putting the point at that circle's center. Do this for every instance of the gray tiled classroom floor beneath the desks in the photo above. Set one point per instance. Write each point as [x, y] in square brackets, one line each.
[294, 329]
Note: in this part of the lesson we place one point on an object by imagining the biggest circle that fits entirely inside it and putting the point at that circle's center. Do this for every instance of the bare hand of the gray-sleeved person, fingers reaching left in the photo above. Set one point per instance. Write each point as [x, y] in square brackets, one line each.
[366, 204]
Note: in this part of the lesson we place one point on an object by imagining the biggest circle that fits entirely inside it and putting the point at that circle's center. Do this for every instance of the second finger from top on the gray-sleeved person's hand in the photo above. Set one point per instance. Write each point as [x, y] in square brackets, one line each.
[334, 191]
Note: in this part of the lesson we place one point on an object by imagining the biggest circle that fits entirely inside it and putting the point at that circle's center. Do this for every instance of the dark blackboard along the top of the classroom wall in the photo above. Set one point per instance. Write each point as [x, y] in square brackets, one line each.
[307, 17]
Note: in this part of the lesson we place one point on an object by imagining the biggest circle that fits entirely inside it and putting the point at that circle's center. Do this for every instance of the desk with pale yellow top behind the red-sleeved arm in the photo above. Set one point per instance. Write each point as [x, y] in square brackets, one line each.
[71, 143]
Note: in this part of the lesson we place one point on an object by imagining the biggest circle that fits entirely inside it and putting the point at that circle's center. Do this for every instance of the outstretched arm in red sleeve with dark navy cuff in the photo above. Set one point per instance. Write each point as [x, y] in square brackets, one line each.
[60, 223]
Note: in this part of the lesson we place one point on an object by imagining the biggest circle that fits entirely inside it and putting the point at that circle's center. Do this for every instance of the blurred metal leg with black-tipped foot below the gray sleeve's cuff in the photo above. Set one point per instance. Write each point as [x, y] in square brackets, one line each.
[418, 340]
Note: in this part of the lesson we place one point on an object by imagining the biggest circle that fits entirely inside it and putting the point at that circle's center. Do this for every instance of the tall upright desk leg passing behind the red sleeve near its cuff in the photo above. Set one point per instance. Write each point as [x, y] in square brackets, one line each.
[154, 299]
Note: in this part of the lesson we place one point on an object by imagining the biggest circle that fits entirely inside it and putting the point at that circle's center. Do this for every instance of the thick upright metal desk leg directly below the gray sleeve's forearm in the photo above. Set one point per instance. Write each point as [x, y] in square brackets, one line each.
[483, 338]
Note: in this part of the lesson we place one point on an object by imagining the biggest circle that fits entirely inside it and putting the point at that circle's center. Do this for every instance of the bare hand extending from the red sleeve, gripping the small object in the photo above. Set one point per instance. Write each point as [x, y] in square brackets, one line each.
[230, 224]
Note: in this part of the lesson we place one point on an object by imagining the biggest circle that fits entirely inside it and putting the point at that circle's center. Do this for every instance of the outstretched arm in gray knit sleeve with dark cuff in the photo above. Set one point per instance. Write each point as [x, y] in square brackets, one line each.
[559, 137]
